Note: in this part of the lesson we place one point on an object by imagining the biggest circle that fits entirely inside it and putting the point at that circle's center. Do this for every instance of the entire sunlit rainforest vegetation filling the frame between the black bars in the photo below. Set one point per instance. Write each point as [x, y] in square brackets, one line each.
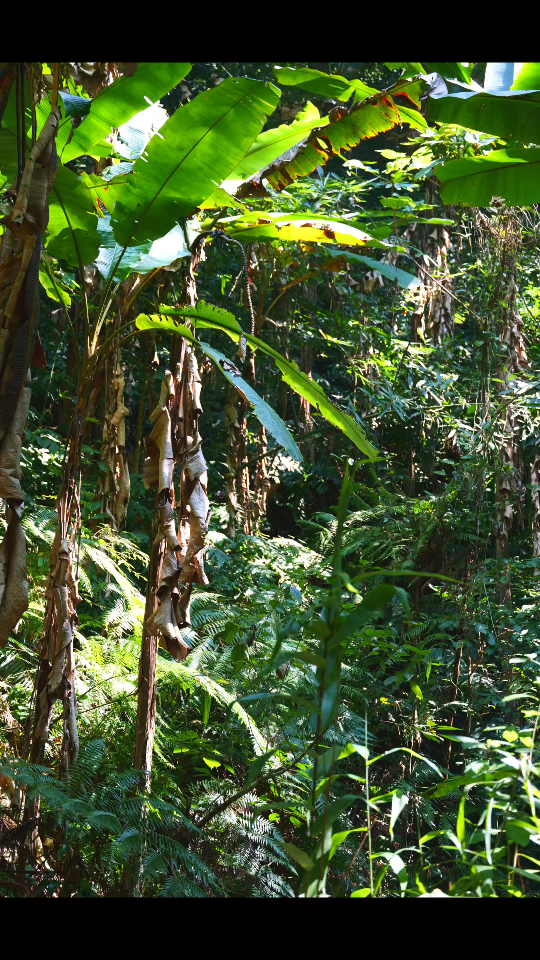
[270, 480]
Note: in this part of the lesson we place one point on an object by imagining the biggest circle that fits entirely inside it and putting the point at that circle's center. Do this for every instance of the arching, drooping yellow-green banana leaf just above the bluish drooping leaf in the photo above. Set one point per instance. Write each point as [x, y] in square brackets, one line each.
[205, 315]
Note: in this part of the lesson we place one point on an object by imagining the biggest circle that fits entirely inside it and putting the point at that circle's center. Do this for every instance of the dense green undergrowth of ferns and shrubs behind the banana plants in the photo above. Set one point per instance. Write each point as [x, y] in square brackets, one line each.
[411, 770]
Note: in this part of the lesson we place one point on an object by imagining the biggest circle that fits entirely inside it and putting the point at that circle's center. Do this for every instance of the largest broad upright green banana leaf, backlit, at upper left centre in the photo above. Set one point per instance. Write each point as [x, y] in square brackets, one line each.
[196, 150]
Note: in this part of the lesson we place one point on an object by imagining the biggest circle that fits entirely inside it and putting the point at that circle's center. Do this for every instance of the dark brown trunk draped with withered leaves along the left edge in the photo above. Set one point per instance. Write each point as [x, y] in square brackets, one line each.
[20, 252]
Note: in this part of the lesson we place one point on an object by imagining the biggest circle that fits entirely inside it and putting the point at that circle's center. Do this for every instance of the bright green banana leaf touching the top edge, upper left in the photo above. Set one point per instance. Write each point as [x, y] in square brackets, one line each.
[117, 104]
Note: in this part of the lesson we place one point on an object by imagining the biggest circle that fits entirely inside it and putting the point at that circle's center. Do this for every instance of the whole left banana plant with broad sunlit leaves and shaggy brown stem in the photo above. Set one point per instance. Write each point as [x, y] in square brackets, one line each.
[216, 137]
